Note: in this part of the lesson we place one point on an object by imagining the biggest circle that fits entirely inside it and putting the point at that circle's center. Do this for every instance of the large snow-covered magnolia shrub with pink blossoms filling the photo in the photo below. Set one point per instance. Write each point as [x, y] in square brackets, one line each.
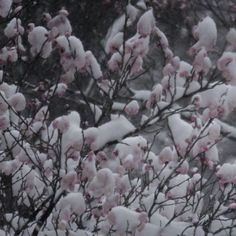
[85, 151]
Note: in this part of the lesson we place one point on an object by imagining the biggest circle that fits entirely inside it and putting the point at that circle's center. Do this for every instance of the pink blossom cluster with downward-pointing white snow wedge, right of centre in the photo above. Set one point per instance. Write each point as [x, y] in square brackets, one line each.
[200, 139]
